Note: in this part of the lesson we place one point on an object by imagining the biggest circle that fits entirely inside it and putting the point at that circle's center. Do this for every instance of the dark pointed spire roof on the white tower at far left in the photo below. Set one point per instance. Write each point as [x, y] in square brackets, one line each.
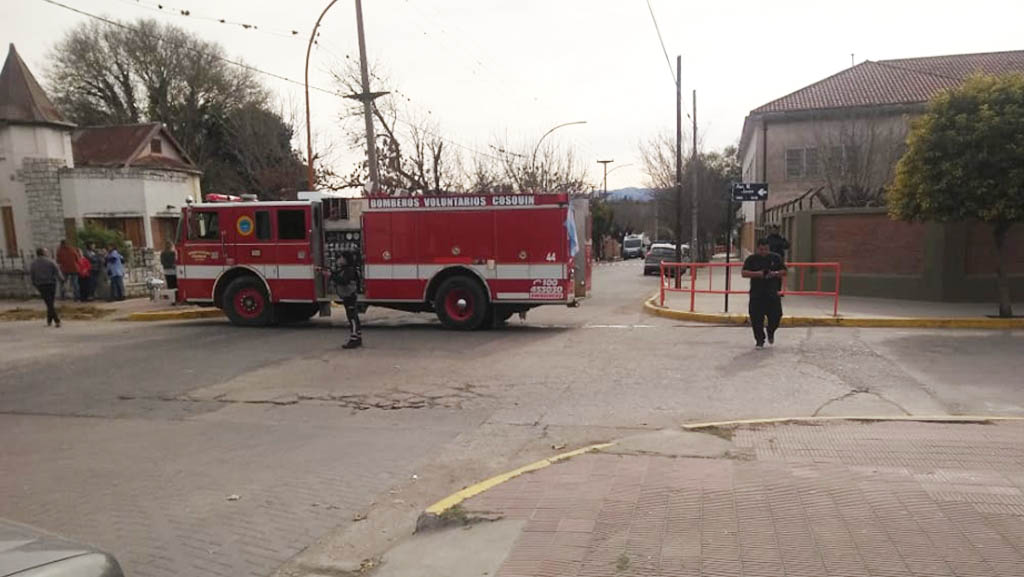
[23, 101]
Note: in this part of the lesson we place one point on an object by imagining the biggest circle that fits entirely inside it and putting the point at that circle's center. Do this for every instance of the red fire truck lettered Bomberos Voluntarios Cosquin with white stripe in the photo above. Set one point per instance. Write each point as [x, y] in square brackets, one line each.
[474, 260]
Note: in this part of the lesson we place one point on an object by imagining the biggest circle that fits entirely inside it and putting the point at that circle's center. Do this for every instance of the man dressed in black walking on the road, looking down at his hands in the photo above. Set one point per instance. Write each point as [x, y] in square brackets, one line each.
[765, 270]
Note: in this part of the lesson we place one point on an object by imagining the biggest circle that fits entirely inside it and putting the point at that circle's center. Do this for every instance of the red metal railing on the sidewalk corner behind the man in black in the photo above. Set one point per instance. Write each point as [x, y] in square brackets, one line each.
[798, 271]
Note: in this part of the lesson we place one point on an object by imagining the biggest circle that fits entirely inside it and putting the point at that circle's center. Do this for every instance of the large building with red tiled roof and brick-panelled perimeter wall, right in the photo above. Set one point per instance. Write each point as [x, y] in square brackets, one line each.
[835, 144]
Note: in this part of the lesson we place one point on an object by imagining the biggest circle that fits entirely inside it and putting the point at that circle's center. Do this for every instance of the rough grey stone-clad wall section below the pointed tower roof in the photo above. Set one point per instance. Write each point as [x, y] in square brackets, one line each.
[42, 192]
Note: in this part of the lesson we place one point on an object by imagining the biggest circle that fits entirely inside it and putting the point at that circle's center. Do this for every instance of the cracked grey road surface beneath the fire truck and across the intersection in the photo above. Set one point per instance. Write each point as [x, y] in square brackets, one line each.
[137, 437]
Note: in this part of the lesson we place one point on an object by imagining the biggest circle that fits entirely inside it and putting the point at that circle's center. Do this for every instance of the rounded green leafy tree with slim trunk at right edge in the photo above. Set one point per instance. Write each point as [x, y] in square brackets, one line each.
[965, 161]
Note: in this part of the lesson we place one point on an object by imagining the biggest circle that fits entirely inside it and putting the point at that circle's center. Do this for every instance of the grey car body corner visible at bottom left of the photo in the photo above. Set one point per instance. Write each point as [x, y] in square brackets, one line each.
[27, 552]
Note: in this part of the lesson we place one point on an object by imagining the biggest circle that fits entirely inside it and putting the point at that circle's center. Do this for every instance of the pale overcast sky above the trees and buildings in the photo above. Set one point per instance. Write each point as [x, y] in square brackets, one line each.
[487, 70]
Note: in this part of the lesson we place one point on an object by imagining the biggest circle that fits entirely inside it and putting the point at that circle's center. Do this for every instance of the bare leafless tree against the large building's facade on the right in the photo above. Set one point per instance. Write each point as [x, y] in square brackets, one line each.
[856, 157]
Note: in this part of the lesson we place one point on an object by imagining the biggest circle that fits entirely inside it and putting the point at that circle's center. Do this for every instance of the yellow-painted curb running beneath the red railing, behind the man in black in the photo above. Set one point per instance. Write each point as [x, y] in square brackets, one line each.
[863, 322]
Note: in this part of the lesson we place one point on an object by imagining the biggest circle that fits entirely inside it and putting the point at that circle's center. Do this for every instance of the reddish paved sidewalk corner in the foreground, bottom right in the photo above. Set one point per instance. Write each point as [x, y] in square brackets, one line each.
[840, 499]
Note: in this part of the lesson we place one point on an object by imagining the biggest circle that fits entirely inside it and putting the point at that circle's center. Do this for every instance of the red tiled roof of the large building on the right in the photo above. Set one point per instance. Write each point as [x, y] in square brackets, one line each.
[894, 83]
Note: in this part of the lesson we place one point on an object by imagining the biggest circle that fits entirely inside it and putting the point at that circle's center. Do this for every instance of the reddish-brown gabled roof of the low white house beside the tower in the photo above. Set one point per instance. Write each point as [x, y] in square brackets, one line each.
[118, 146]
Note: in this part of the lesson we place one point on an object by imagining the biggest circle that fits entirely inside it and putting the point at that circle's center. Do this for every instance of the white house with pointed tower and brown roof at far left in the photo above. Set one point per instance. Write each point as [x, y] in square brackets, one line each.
[56, 178]
